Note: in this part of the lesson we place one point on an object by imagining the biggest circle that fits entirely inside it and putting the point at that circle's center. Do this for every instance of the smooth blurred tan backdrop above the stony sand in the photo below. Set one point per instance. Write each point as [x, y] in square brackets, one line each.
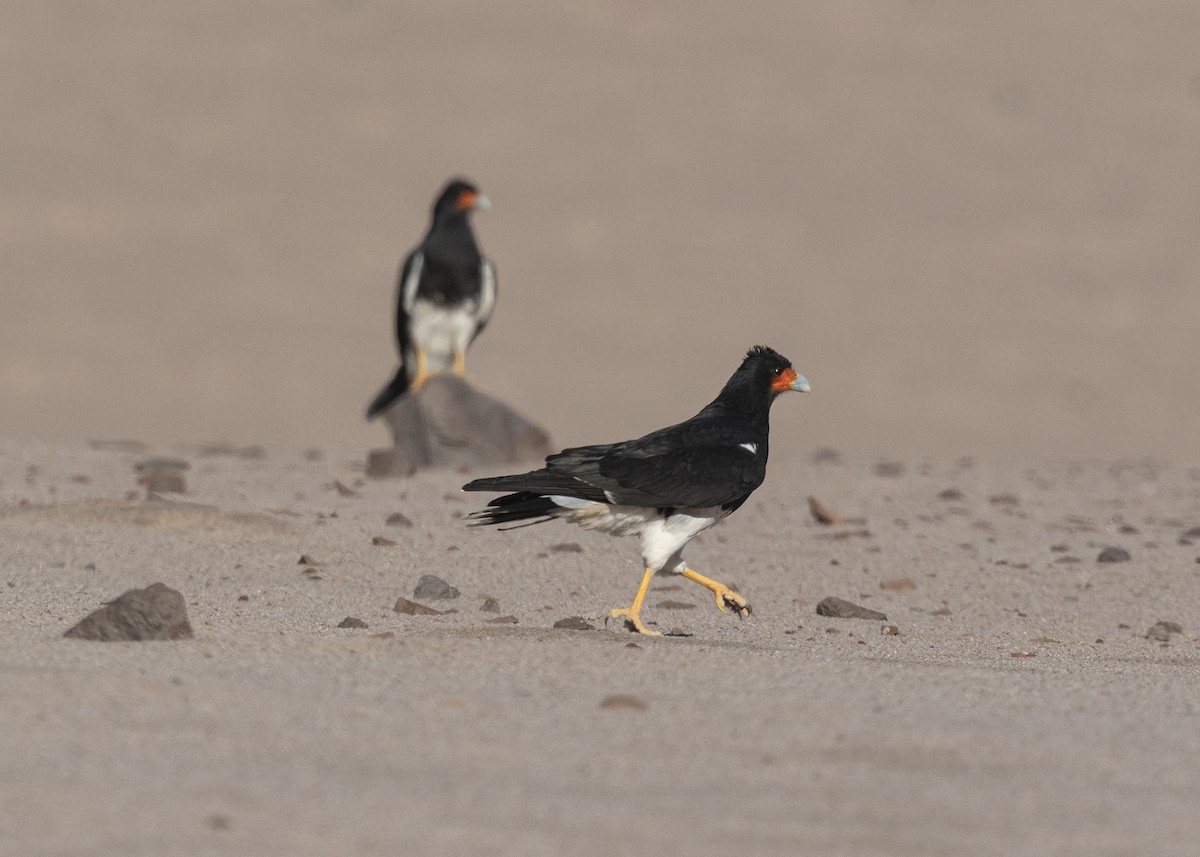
[973, 226]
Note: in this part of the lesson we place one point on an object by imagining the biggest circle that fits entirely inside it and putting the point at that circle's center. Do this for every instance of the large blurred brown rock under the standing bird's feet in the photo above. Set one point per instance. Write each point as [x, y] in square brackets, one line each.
[448, 423]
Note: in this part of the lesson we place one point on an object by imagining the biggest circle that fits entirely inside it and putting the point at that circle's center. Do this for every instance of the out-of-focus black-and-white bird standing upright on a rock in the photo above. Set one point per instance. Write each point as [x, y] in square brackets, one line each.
[446, 295]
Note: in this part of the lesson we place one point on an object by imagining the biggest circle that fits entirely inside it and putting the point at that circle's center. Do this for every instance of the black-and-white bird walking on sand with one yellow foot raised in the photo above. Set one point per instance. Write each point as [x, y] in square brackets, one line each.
[665, 488]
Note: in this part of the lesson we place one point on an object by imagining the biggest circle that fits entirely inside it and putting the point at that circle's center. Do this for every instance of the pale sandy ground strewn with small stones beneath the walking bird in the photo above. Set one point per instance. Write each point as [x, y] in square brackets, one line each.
[1019, 710]
